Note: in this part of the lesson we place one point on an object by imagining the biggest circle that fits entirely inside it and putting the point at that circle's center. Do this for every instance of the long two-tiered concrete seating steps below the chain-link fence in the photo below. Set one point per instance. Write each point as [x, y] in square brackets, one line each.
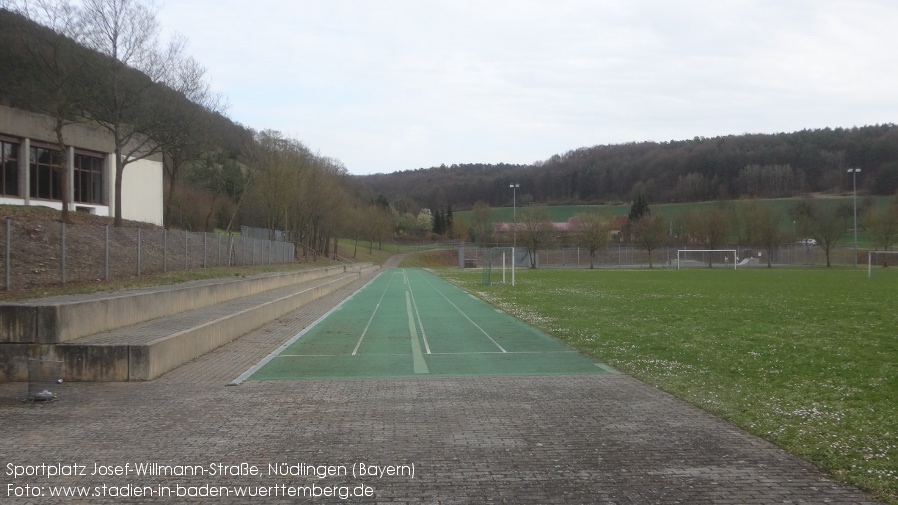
[140, 334]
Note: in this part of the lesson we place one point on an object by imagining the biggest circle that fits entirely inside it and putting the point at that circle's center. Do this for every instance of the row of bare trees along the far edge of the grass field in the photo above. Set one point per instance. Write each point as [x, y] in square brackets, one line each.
[754, 223]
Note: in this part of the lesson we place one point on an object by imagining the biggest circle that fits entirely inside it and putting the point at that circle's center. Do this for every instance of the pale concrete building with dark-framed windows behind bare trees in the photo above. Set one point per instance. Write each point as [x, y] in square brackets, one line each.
[32, 168]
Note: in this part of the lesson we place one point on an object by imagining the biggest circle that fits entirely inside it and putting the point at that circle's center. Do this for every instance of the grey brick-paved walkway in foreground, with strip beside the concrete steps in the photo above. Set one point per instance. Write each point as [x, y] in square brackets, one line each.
[545, 439]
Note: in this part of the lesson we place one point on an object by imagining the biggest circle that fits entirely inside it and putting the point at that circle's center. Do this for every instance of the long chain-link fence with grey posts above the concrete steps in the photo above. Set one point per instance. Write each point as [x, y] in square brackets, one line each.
[39, 253]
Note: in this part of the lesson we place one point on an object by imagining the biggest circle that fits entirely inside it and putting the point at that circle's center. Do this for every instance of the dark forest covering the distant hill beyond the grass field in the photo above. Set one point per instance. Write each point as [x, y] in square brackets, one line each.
[720, 168]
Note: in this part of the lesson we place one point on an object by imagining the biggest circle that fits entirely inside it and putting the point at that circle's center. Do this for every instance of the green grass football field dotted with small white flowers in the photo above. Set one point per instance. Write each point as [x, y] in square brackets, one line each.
[807, 359]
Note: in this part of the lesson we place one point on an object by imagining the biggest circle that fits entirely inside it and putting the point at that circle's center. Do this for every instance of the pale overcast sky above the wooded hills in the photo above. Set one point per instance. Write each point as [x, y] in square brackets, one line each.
[390, 85]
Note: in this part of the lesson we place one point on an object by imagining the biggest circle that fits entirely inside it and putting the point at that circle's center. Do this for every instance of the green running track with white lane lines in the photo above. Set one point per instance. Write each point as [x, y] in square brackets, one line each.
[408, 322]
